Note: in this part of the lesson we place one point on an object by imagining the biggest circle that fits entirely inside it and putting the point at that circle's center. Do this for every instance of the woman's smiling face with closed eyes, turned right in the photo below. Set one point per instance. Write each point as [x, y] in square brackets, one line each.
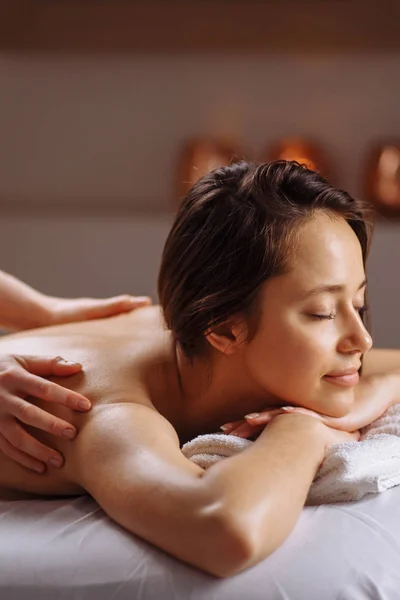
[310, 332]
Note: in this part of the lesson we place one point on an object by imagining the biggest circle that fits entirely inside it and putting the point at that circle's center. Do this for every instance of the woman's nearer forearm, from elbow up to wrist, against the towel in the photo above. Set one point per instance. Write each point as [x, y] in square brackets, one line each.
[264, 488]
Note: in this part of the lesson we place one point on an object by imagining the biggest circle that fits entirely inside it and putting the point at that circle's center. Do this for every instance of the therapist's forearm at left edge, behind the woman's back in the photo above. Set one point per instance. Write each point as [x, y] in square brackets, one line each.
[21, 306]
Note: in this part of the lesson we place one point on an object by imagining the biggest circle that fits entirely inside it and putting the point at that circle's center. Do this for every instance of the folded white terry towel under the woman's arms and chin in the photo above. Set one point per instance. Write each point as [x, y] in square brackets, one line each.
[349, 471]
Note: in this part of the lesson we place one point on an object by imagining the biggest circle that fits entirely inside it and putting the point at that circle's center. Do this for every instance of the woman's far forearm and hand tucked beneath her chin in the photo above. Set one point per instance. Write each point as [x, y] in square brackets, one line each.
[373, 396]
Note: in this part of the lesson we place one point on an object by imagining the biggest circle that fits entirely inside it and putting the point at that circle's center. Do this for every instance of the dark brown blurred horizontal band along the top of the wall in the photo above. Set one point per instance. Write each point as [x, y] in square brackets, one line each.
[198, 25]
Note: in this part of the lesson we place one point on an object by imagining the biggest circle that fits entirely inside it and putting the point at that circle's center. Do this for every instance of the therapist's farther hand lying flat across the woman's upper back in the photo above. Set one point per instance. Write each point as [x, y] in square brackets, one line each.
[69, 310]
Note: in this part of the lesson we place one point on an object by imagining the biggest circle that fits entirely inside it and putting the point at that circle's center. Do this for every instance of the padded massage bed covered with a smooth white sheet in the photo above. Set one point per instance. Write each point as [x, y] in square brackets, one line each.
[68, 549]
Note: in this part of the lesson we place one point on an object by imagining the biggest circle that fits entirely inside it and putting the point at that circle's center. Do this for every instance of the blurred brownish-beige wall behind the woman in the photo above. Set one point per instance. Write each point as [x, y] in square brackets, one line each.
[90, 138]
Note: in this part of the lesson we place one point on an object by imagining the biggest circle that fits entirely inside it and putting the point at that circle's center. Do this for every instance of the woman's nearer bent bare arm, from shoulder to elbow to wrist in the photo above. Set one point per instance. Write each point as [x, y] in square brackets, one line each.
[222, 520]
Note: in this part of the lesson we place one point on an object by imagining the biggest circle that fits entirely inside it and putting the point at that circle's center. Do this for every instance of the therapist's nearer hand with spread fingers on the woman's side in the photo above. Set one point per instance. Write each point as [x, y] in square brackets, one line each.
[21, 376]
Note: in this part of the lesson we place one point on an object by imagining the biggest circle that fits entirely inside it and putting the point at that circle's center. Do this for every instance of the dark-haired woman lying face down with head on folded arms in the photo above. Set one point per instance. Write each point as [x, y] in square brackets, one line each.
[262, 300]
